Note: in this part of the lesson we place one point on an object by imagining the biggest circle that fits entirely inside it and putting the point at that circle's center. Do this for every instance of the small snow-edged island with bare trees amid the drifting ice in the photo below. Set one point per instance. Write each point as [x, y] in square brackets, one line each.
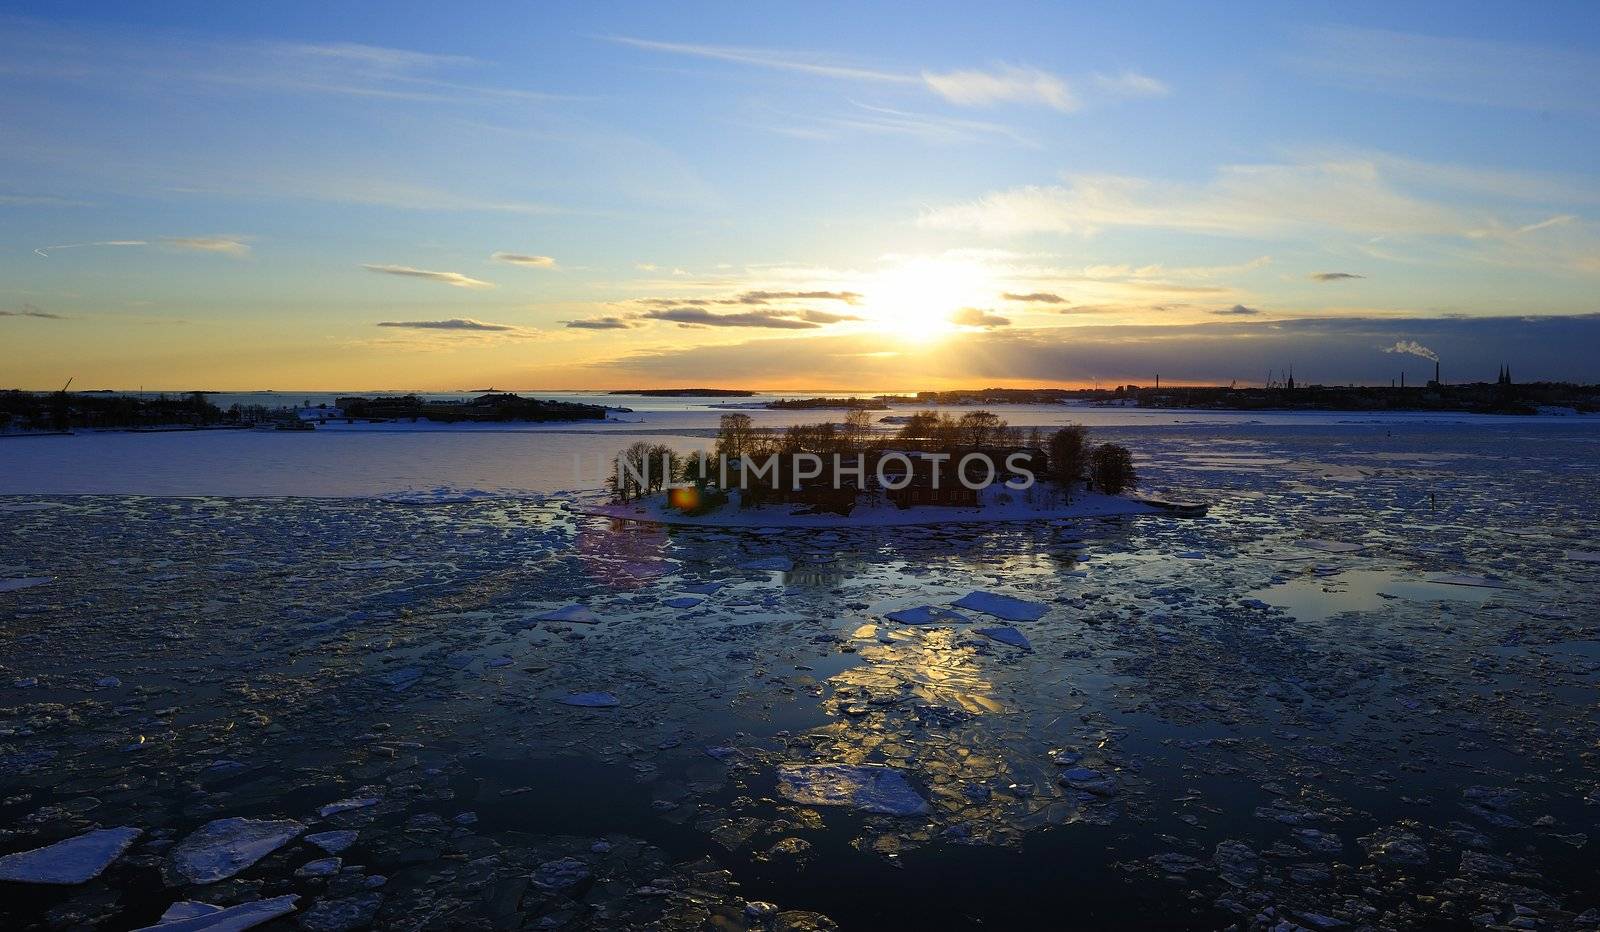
[934, 470]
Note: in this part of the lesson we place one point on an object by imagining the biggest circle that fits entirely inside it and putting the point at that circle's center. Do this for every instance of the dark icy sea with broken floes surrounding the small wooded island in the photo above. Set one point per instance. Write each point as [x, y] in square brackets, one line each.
[1361, 693]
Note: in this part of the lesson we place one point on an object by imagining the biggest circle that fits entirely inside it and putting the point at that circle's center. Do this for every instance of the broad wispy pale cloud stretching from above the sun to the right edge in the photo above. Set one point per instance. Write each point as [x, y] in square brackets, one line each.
[1378, 206]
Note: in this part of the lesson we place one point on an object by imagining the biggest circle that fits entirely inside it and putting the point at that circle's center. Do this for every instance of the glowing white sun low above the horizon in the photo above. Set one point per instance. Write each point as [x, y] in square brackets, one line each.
[916, 299]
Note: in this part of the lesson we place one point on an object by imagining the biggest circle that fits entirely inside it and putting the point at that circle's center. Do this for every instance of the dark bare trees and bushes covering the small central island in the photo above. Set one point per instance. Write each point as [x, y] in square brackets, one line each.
[761, 465]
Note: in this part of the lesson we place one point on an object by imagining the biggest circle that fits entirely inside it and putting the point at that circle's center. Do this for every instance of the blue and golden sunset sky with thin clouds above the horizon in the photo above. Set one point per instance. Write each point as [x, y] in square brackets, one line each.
[838, 198]
